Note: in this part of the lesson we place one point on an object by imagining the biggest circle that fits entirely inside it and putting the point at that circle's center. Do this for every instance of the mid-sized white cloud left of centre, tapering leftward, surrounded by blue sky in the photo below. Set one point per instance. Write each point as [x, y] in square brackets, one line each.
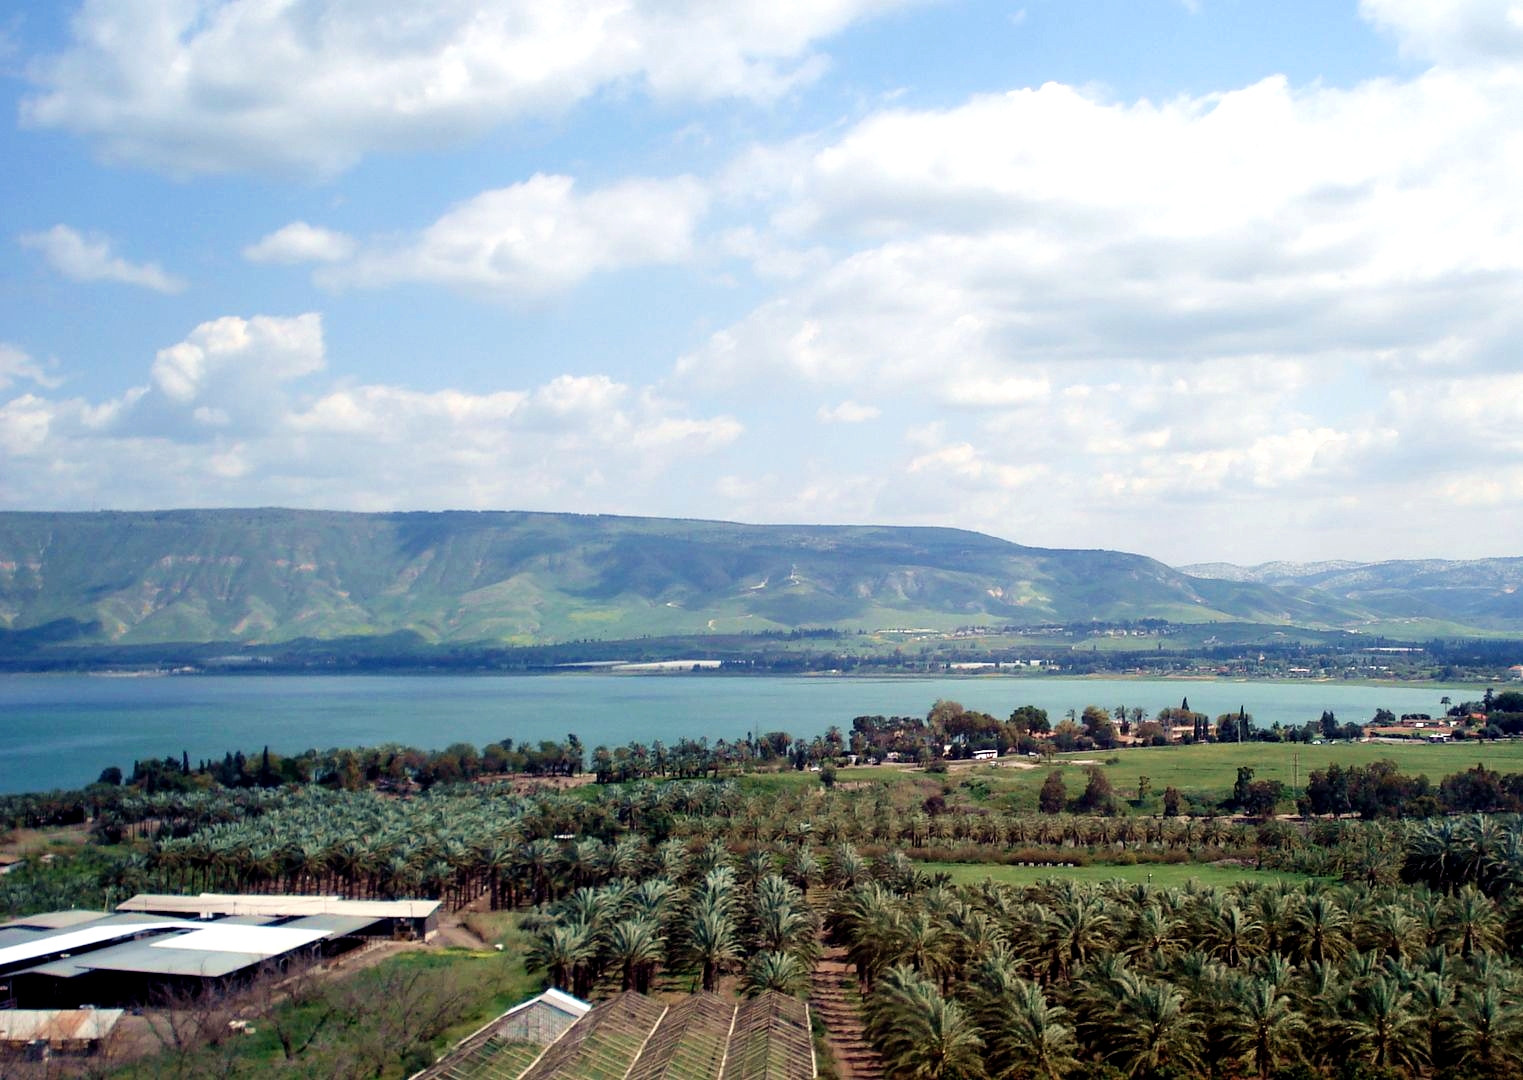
[538, 238]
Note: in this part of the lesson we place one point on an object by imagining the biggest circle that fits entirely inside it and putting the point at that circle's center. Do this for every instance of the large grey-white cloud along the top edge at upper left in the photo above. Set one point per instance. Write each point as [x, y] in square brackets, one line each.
[318, 85]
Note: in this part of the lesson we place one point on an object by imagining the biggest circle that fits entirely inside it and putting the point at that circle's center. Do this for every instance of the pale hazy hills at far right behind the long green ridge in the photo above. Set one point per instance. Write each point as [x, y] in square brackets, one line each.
[1484, 593]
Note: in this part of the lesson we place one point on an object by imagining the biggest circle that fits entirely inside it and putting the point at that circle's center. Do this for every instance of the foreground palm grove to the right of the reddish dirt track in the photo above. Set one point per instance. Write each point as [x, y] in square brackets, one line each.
[1078, 980]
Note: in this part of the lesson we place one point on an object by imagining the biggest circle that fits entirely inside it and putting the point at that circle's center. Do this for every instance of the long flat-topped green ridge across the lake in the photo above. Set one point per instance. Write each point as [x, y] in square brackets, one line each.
[261, 577]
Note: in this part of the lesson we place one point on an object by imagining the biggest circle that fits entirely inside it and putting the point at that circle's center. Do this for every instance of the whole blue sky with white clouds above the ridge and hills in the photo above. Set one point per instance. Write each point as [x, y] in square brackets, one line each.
[1201, 280]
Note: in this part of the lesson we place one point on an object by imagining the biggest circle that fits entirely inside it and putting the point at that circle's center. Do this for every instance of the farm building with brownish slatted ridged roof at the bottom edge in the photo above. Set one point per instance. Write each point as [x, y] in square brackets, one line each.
[700, 1038]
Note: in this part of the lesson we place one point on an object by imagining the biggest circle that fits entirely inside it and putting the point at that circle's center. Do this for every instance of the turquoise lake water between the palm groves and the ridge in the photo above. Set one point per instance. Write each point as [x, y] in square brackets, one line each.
[62, 730]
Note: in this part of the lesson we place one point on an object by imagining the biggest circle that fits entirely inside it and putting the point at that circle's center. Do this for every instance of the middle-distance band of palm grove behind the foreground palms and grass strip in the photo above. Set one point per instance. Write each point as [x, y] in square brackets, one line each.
[467, 843]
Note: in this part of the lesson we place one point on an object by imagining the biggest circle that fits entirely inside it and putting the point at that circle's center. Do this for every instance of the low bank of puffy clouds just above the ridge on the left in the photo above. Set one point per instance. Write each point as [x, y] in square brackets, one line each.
[243, 411]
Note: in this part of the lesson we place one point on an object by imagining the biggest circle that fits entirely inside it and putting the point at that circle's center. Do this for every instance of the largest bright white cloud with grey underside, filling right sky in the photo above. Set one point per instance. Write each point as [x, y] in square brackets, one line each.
[1050, 226]
